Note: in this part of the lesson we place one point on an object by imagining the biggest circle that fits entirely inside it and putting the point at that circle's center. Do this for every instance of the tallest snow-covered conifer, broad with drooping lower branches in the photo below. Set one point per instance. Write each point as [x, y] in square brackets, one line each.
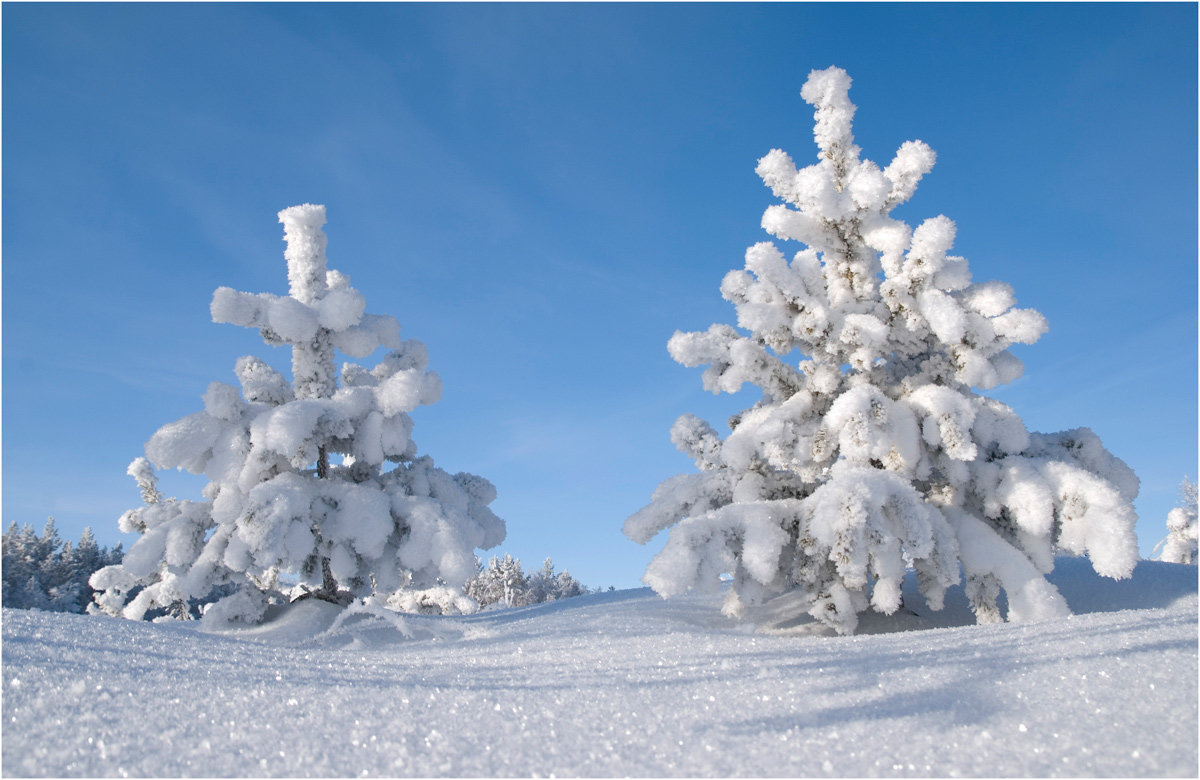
[872, 453]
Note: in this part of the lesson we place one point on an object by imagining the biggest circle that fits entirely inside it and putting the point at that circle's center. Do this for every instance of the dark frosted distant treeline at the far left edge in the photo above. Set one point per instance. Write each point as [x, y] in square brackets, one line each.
[46, 573]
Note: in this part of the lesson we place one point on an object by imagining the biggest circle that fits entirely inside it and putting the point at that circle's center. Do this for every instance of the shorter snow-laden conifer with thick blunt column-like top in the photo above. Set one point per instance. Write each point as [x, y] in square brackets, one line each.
[316, 478]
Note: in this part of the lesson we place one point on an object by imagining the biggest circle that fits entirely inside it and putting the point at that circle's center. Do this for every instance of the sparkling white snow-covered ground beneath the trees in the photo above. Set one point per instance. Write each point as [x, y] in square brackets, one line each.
[617, 685]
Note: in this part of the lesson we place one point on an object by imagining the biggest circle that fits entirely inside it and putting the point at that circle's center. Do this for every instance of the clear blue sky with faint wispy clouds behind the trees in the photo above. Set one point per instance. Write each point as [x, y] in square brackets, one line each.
[543, 195]
